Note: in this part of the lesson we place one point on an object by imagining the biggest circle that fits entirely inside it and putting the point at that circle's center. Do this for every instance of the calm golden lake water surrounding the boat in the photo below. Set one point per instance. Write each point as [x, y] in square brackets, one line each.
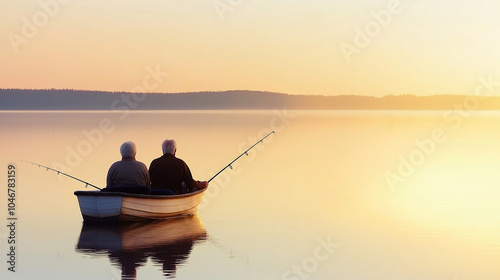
[355, 195]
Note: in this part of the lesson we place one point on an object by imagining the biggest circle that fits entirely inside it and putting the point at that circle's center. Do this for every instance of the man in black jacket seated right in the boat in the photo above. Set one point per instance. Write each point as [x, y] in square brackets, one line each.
[171, 173]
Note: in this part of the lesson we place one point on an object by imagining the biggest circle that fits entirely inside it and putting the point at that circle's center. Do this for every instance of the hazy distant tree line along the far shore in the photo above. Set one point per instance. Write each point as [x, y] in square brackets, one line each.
[68, 99]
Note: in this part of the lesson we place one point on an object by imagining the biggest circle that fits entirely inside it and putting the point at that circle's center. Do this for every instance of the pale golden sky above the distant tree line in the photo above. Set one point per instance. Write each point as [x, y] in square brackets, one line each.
[327, 47]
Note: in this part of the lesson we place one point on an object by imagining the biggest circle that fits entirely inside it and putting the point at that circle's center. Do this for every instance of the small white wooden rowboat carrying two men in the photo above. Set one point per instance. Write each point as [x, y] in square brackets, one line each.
[99, 206]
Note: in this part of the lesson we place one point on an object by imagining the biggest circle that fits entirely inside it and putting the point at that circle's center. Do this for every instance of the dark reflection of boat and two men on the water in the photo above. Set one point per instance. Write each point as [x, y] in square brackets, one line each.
[168, 243]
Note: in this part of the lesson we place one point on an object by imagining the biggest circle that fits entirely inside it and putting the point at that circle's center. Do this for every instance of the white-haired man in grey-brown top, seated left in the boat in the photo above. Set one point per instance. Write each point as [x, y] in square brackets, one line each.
[128, 171]
